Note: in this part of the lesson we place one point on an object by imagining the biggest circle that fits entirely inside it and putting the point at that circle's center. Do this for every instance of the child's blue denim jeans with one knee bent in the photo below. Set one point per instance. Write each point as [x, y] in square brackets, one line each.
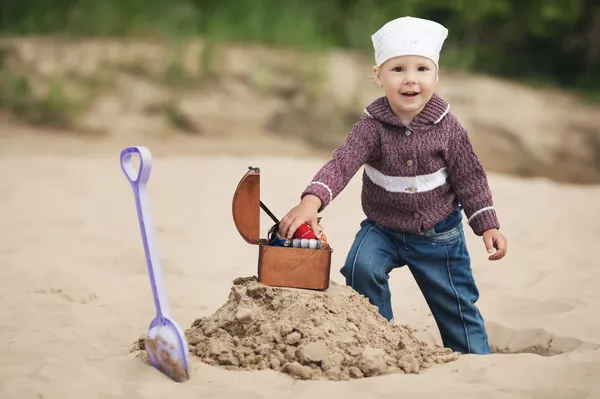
[440, 264]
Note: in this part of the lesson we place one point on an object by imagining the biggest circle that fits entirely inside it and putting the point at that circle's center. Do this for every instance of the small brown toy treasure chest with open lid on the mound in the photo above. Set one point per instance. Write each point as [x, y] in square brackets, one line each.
[280, 266]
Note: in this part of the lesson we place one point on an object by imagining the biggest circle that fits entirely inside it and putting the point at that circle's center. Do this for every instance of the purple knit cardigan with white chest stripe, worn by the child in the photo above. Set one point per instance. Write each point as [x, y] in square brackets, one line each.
[414, 175]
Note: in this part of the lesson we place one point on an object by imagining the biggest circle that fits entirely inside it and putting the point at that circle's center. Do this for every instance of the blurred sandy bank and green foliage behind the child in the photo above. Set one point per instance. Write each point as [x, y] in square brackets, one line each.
[291, 77]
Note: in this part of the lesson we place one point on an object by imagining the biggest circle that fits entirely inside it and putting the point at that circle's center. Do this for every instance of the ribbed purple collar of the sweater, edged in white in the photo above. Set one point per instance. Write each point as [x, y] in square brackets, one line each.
[432, 113]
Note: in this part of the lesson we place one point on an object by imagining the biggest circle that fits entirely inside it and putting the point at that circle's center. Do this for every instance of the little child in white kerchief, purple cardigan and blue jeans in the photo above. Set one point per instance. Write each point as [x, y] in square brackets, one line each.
[420, 173]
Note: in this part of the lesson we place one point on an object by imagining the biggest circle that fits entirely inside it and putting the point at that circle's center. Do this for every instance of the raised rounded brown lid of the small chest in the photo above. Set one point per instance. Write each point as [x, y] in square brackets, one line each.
[246, 206]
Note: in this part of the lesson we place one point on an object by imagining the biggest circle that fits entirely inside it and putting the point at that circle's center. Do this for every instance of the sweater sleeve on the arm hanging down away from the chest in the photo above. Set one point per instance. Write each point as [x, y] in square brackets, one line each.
[469, 180]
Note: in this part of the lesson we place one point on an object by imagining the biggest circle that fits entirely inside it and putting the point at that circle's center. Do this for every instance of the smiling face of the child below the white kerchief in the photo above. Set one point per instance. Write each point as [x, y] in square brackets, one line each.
[408, 82]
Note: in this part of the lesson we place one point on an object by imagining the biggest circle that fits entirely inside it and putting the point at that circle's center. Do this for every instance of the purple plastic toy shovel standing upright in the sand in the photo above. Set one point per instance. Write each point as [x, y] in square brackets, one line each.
[165, 342]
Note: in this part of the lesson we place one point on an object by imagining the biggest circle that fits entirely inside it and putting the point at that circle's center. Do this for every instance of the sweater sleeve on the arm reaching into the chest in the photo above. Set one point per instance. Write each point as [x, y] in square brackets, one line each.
[333, 177]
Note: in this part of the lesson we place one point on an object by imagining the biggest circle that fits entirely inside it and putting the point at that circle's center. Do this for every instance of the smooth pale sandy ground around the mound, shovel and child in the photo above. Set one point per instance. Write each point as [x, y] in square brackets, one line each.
[74, 290]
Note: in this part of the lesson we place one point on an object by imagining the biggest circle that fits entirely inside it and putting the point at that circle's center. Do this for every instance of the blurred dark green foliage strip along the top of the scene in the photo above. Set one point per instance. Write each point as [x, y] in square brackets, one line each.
[540, 41]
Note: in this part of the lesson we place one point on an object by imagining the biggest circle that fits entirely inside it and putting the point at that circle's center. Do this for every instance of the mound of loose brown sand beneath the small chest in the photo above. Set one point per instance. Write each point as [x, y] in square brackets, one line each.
[335, 334]
